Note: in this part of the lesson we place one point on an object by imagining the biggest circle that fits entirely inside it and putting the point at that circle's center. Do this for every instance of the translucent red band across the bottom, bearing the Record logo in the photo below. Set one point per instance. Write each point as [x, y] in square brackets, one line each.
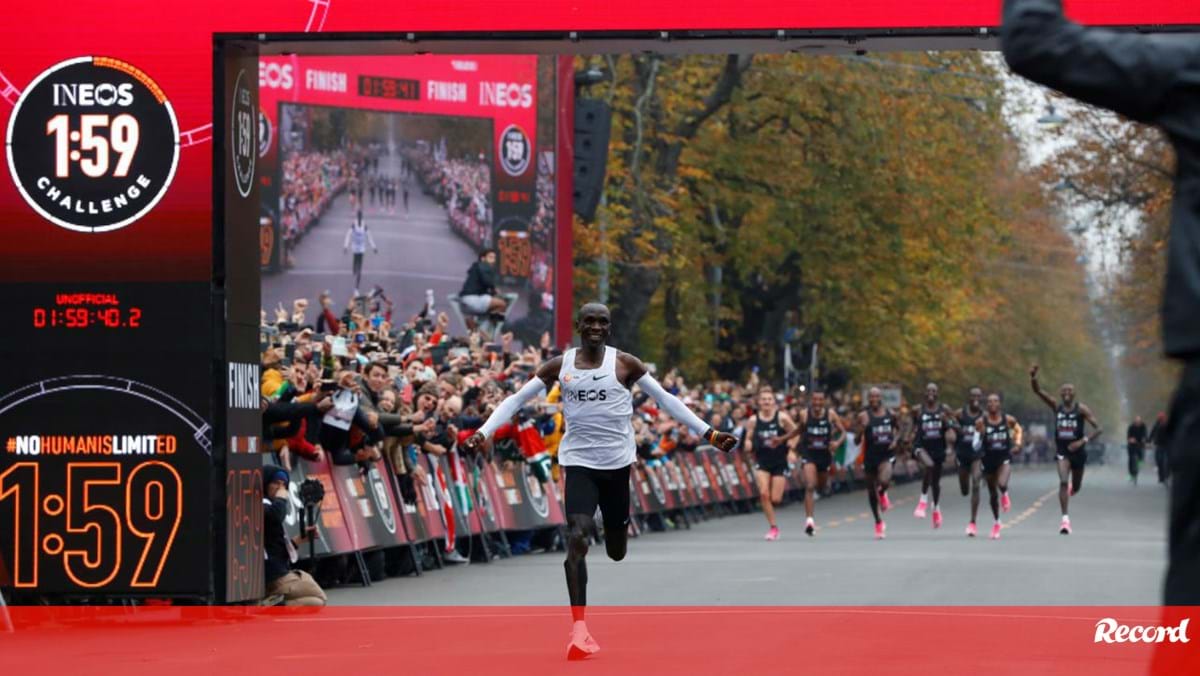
[698, 641]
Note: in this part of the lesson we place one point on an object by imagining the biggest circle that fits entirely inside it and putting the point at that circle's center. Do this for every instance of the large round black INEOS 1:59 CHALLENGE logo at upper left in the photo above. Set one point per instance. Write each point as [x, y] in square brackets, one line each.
[93, 145]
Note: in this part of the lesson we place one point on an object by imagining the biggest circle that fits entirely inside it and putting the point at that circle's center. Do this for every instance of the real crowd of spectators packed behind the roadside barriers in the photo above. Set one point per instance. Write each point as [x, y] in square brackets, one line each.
[357, 382]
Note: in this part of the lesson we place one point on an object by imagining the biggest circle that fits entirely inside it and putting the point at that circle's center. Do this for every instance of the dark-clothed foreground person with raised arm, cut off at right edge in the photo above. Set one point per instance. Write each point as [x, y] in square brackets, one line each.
[1154, 80]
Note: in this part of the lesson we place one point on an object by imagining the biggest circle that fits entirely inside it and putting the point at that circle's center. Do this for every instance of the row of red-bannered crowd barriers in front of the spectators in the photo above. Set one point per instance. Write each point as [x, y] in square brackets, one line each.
[368, 509]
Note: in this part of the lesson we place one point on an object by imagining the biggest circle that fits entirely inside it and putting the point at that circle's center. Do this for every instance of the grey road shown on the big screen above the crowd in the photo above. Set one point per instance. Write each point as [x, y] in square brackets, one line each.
[418, 252]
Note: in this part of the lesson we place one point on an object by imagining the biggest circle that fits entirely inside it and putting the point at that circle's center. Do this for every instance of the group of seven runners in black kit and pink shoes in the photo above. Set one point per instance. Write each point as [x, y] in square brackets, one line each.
[981, 434]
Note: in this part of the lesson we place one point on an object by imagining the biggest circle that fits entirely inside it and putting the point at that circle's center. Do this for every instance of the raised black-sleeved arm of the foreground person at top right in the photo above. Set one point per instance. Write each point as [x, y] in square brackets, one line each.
[1130, 74]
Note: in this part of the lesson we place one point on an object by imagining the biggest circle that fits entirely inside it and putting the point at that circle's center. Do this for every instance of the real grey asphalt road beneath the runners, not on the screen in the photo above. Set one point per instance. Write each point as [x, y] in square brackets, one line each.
[1117, 557]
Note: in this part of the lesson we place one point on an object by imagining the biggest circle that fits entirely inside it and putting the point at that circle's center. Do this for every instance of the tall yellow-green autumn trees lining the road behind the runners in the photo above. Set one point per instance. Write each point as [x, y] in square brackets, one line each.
[872, 206]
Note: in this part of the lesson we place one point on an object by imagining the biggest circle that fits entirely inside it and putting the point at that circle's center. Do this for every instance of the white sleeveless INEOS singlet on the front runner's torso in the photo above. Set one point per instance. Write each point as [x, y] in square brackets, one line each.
[597, 412]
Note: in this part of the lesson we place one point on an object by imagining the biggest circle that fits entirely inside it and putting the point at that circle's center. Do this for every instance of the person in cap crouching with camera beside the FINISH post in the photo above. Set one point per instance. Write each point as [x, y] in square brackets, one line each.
[285, 585]
